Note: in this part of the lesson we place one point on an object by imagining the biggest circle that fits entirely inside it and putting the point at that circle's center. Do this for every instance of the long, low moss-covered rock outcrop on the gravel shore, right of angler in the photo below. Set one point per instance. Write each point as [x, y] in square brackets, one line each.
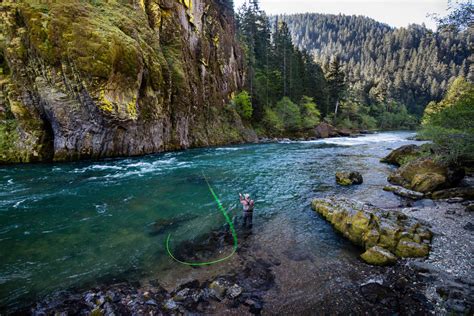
[385, 235]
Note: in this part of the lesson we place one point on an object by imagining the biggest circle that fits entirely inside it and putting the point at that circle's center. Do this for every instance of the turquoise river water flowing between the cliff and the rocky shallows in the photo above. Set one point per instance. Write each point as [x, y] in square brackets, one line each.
[77, 224]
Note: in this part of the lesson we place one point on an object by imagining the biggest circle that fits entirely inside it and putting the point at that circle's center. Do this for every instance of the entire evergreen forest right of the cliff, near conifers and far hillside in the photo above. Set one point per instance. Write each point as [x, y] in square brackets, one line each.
[351, 71]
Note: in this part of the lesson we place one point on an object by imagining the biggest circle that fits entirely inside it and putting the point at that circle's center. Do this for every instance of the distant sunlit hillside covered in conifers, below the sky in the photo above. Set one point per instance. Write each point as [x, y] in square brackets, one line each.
[411, 66]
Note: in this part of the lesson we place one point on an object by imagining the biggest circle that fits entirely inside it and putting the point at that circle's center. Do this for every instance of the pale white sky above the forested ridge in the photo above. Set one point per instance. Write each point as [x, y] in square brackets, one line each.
[396, 13]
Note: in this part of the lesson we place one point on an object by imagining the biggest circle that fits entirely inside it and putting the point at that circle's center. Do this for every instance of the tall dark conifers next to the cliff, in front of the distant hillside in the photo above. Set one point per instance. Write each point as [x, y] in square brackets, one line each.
[276, 69]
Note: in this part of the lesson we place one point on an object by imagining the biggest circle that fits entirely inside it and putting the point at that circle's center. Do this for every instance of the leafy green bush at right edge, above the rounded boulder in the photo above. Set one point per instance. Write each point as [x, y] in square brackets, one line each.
[450, 123]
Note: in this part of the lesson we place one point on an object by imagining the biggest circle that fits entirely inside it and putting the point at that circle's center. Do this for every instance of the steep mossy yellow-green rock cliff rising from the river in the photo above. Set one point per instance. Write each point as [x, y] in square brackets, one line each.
[89, 79]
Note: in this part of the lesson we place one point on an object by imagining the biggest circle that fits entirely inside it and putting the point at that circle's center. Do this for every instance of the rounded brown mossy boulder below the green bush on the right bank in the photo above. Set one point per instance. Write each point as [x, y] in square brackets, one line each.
[426, 175]
